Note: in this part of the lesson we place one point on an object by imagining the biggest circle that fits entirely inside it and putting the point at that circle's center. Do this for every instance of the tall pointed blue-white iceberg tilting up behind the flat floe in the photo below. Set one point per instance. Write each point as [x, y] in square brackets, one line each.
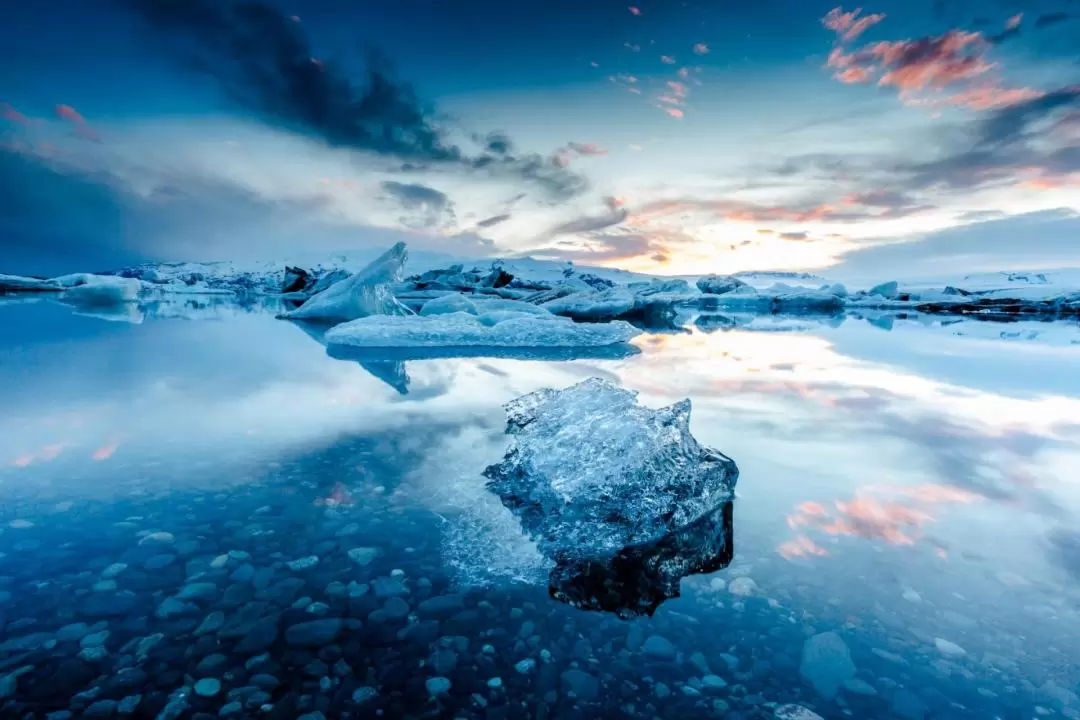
[368, 293]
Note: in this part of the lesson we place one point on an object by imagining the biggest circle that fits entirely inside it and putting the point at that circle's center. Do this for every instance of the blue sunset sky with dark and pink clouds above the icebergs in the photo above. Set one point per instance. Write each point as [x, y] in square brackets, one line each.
[893, 139]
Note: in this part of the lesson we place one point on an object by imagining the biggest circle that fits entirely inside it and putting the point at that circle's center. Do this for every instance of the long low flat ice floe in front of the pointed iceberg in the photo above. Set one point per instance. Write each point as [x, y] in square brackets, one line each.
[498, 330]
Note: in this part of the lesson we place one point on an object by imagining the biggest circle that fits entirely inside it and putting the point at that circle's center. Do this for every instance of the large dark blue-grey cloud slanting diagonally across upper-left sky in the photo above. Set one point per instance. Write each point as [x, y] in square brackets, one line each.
[265, 63]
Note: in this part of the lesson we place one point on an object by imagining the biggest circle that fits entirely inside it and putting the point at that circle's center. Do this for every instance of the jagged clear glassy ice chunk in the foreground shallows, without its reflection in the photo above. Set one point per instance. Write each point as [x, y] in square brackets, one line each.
[592, 472]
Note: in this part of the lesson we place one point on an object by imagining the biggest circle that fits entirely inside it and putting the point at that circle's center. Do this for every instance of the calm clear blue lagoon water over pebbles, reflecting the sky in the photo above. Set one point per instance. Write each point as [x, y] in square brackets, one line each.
[909, 485]
